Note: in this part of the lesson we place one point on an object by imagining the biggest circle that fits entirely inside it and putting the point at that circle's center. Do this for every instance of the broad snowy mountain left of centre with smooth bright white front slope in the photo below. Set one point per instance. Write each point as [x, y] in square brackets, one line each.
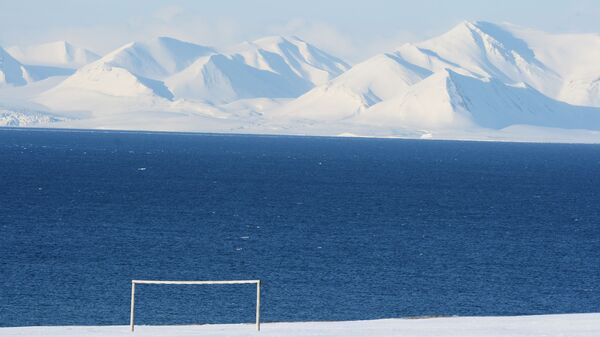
[133, 71]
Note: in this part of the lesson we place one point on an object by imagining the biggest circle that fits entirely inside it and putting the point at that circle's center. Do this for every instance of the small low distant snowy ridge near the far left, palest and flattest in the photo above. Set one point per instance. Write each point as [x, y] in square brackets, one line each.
[54, 54]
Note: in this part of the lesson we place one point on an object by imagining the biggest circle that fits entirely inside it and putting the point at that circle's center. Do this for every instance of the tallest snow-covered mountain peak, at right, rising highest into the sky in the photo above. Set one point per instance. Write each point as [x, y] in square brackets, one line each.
[482, 49]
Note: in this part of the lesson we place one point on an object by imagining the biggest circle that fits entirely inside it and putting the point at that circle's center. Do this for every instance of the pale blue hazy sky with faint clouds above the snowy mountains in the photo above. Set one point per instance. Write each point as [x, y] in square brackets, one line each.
[353, 30]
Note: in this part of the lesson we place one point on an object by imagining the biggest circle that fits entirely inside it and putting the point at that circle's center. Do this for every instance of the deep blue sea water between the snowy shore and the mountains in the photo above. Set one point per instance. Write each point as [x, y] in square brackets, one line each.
[337, 229]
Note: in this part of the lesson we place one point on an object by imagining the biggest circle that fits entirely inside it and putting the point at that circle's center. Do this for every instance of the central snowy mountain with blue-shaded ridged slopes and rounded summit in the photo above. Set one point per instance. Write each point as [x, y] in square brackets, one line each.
[273, 67]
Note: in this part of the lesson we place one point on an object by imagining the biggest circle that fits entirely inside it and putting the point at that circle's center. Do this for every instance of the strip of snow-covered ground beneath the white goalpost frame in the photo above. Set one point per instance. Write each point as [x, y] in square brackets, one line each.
[579, 325]
